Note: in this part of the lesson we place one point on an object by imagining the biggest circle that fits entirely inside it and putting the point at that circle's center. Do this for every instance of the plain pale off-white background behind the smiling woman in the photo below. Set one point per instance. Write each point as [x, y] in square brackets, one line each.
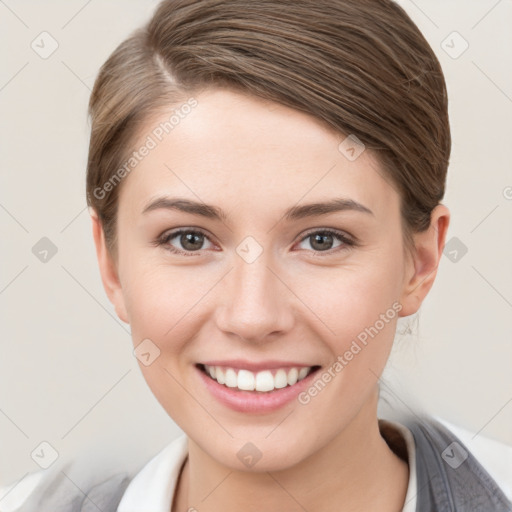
[67, 372]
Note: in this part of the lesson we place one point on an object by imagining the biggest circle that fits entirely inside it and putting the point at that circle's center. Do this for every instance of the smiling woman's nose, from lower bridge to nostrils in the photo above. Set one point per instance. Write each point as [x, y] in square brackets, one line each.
[257, 305]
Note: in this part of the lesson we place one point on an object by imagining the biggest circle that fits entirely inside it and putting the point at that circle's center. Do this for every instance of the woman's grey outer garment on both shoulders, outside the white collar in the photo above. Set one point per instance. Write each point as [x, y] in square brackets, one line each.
[449, 479]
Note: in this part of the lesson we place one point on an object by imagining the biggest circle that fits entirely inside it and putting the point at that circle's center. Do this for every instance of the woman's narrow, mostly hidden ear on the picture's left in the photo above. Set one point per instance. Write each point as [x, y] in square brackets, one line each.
[108, 268]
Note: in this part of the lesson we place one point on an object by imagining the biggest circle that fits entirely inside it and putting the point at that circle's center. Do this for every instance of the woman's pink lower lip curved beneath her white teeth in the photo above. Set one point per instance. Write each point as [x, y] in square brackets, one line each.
[254, 401]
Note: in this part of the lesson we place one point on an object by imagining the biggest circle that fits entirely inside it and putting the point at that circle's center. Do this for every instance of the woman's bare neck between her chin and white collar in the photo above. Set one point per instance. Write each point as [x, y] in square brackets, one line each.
[356, 470]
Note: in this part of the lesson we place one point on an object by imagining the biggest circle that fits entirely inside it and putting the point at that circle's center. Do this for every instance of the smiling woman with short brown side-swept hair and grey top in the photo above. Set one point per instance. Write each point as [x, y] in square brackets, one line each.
[265, 181]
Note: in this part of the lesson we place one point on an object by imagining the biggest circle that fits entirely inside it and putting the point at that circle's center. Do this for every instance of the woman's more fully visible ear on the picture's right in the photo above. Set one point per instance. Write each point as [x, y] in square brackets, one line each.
[422, 265]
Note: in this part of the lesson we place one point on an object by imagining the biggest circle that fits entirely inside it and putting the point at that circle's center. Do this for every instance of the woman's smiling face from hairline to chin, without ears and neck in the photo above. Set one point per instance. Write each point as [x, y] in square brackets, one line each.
[258, 281]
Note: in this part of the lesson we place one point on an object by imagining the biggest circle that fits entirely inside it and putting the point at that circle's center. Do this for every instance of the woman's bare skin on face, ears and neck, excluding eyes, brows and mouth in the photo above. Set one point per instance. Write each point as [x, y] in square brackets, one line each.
[254, 159]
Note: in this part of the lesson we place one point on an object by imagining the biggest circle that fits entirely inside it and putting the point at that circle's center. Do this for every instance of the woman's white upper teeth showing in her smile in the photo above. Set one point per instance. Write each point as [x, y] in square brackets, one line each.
[261, 381]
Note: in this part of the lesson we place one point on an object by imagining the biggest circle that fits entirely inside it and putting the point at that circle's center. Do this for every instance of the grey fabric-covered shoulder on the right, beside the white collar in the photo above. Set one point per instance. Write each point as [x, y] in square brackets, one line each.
[449, 476]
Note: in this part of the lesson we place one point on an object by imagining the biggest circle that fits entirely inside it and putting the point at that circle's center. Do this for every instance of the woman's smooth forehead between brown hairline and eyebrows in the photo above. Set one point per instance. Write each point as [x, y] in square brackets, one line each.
[234, 148]
